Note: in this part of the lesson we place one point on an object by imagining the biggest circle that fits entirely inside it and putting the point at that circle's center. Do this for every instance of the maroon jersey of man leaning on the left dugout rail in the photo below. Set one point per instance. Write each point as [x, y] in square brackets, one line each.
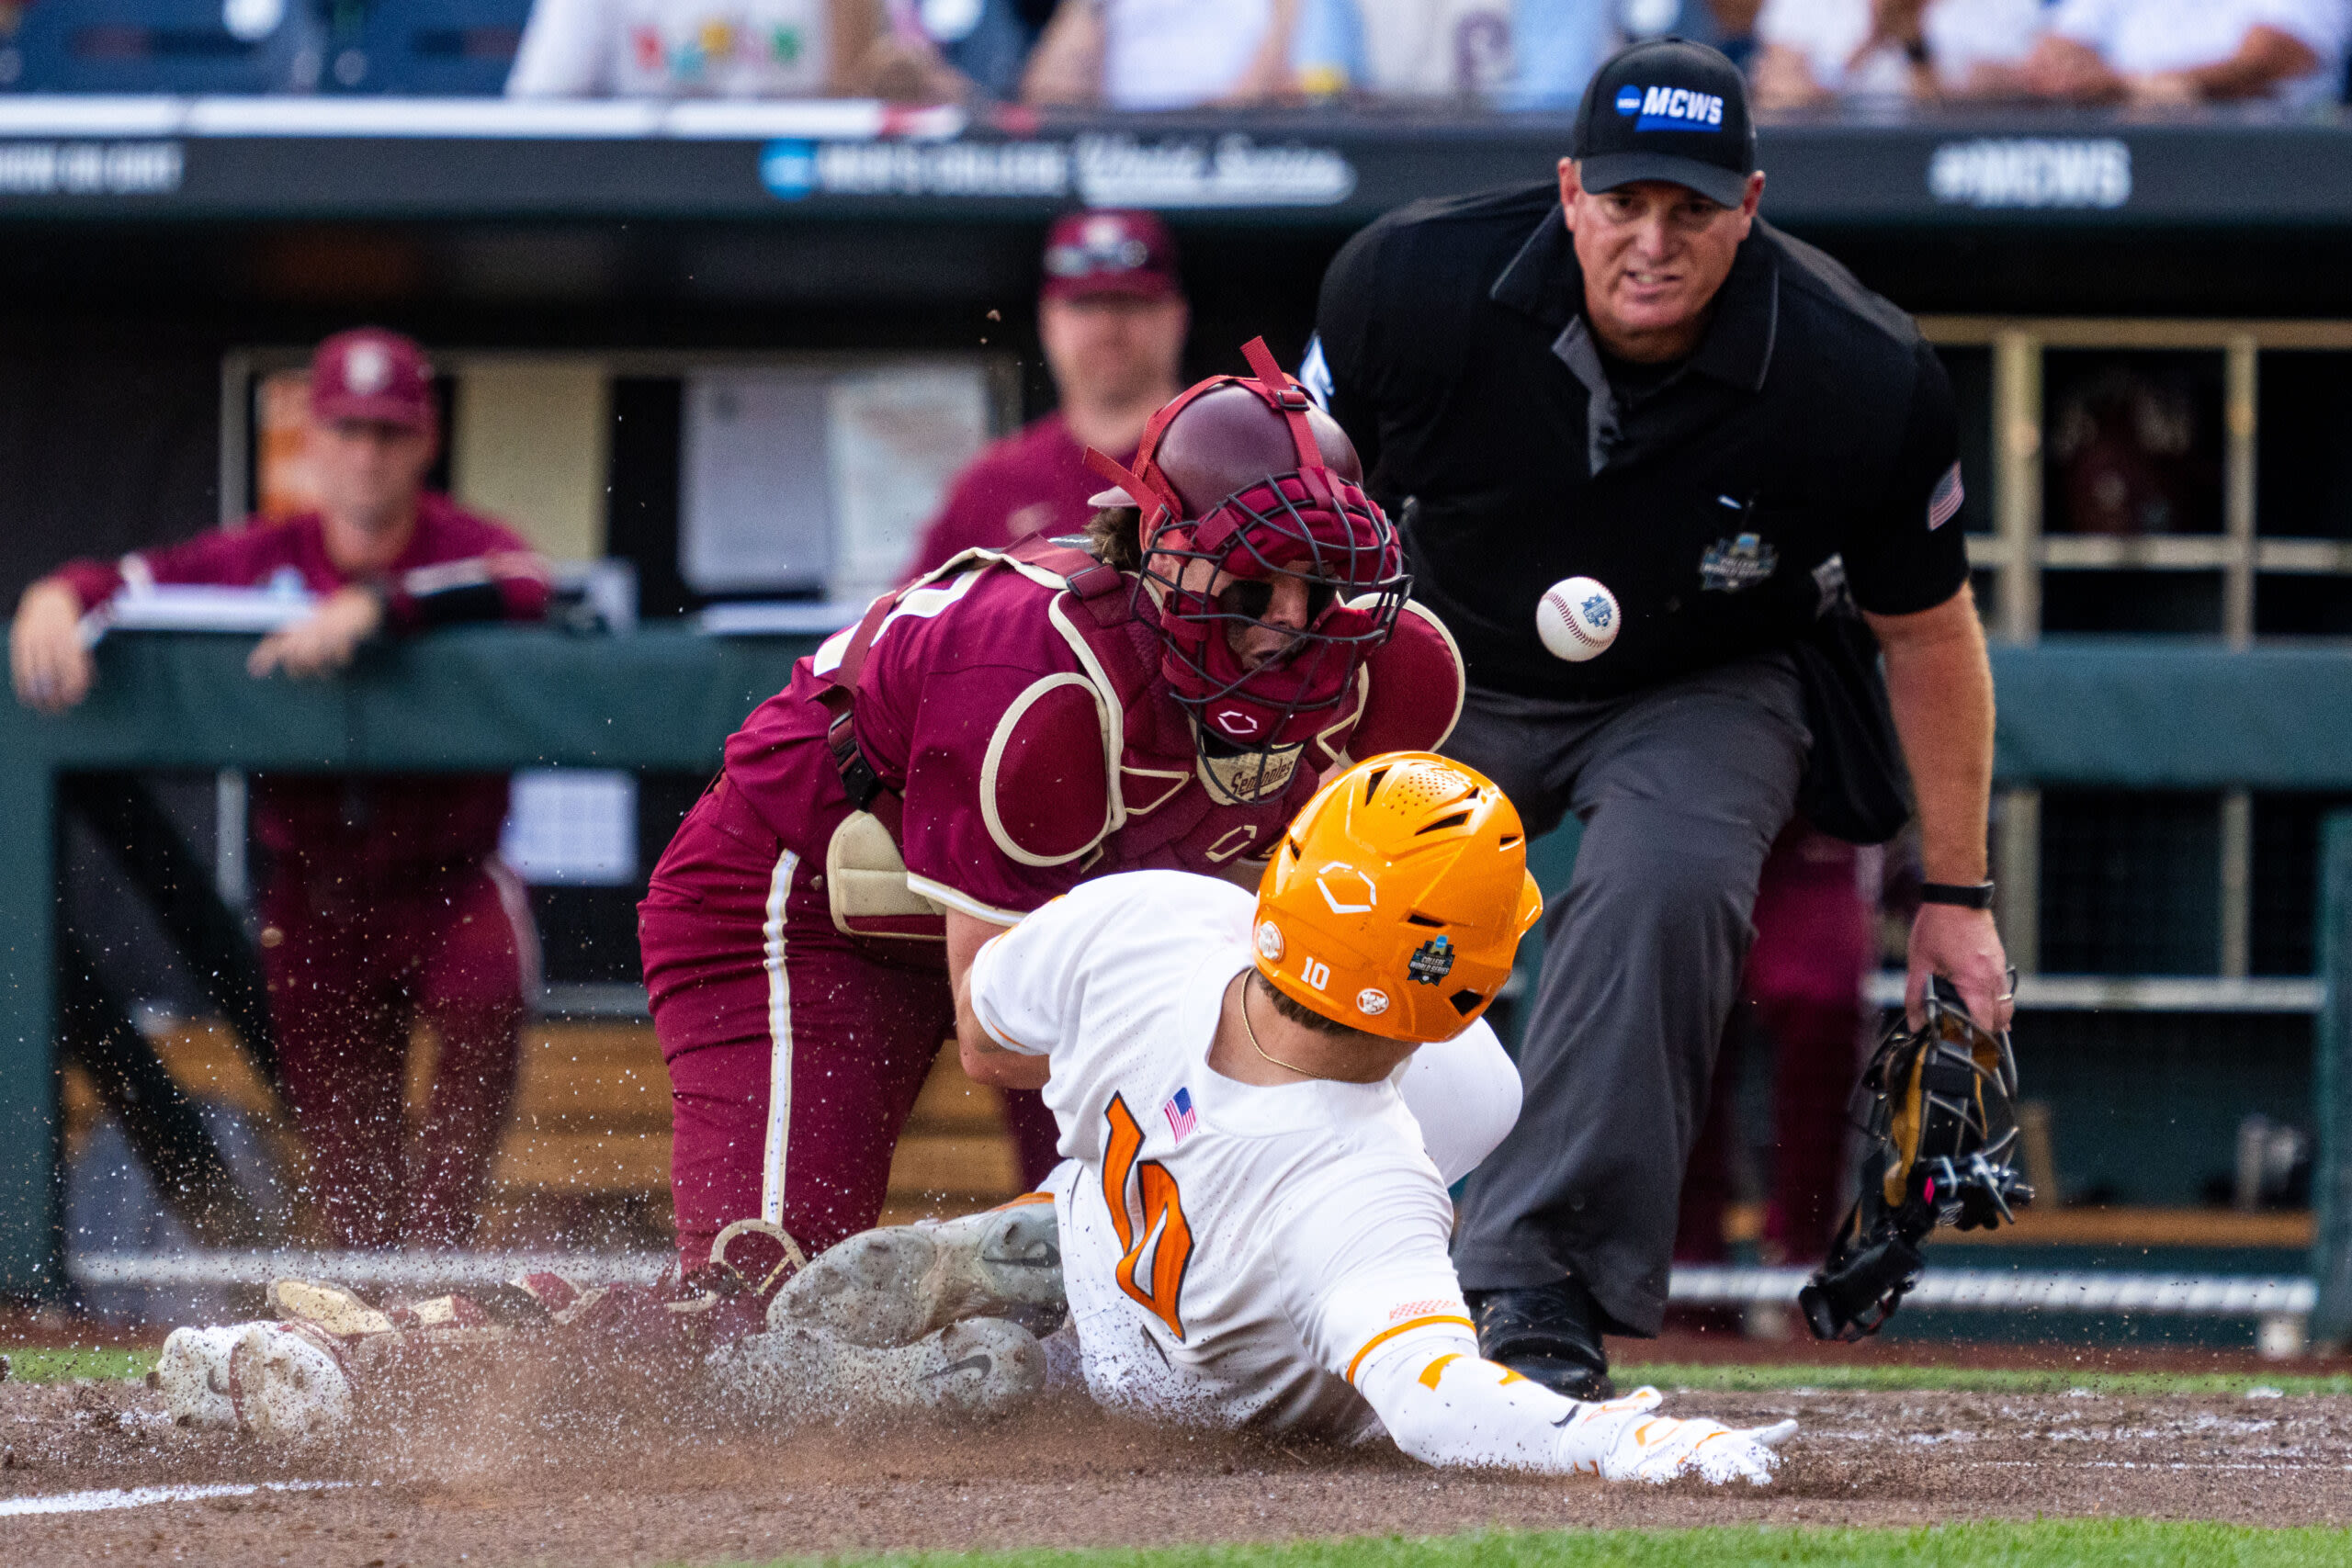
[382, 826]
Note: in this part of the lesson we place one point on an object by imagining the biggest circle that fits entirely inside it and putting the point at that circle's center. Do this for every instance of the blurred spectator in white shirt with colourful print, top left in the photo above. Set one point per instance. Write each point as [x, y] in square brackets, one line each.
[730, 51]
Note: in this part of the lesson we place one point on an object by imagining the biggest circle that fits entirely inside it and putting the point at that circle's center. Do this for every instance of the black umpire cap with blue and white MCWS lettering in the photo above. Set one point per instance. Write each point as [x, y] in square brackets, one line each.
[1669, 109]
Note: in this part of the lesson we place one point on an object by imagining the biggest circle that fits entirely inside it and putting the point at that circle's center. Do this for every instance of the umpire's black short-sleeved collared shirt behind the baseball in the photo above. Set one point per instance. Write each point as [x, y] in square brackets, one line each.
[1810, 424]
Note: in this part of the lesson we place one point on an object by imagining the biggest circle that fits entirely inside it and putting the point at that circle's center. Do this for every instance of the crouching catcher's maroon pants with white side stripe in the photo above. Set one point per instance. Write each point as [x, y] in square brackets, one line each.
[796, 1052]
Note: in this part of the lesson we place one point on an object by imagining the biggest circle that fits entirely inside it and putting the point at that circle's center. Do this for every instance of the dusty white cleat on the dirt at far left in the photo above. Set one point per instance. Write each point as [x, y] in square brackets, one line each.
[281, 1381]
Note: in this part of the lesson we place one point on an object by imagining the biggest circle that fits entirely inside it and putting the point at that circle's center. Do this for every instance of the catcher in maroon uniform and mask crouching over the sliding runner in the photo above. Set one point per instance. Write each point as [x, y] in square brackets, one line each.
[991, 737]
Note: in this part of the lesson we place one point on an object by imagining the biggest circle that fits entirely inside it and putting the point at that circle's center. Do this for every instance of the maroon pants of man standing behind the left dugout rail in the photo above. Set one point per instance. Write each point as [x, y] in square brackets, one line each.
[352, 972]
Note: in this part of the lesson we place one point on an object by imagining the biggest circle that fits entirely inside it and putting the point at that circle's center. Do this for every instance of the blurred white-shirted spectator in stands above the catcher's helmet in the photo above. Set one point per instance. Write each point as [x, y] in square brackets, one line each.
[1163, 53]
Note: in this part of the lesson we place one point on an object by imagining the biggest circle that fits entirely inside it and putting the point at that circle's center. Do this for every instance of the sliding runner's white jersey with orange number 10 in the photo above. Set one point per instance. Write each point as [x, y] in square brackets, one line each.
[1234, 1254]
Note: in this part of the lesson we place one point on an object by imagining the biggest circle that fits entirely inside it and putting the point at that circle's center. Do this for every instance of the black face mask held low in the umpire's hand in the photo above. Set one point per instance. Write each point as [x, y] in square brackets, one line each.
[1942, 1120]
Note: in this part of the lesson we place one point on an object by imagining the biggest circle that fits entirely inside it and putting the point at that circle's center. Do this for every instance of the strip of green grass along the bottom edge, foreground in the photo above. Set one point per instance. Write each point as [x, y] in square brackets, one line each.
[2045, 1543]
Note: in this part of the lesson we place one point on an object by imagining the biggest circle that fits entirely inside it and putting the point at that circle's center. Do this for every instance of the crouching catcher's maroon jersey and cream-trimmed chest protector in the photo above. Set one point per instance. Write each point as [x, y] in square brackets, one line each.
[1034, 742]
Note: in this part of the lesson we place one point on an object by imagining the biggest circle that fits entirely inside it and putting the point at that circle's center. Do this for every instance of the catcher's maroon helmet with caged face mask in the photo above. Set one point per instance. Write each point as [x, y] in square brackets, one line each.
[1255, 518]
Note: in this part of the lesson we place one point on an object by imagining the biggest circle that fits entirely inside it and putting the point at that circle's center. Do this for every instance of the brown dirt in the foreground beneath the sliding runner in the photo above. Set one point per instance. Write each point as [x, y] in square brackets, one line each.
[497, 1470]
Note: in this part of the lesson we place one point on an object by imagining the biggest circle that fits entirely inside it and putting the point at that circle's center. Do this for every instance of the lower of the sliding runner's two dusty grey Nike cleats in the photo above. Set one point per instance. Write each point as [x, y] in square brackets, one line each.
[982, 1367]
